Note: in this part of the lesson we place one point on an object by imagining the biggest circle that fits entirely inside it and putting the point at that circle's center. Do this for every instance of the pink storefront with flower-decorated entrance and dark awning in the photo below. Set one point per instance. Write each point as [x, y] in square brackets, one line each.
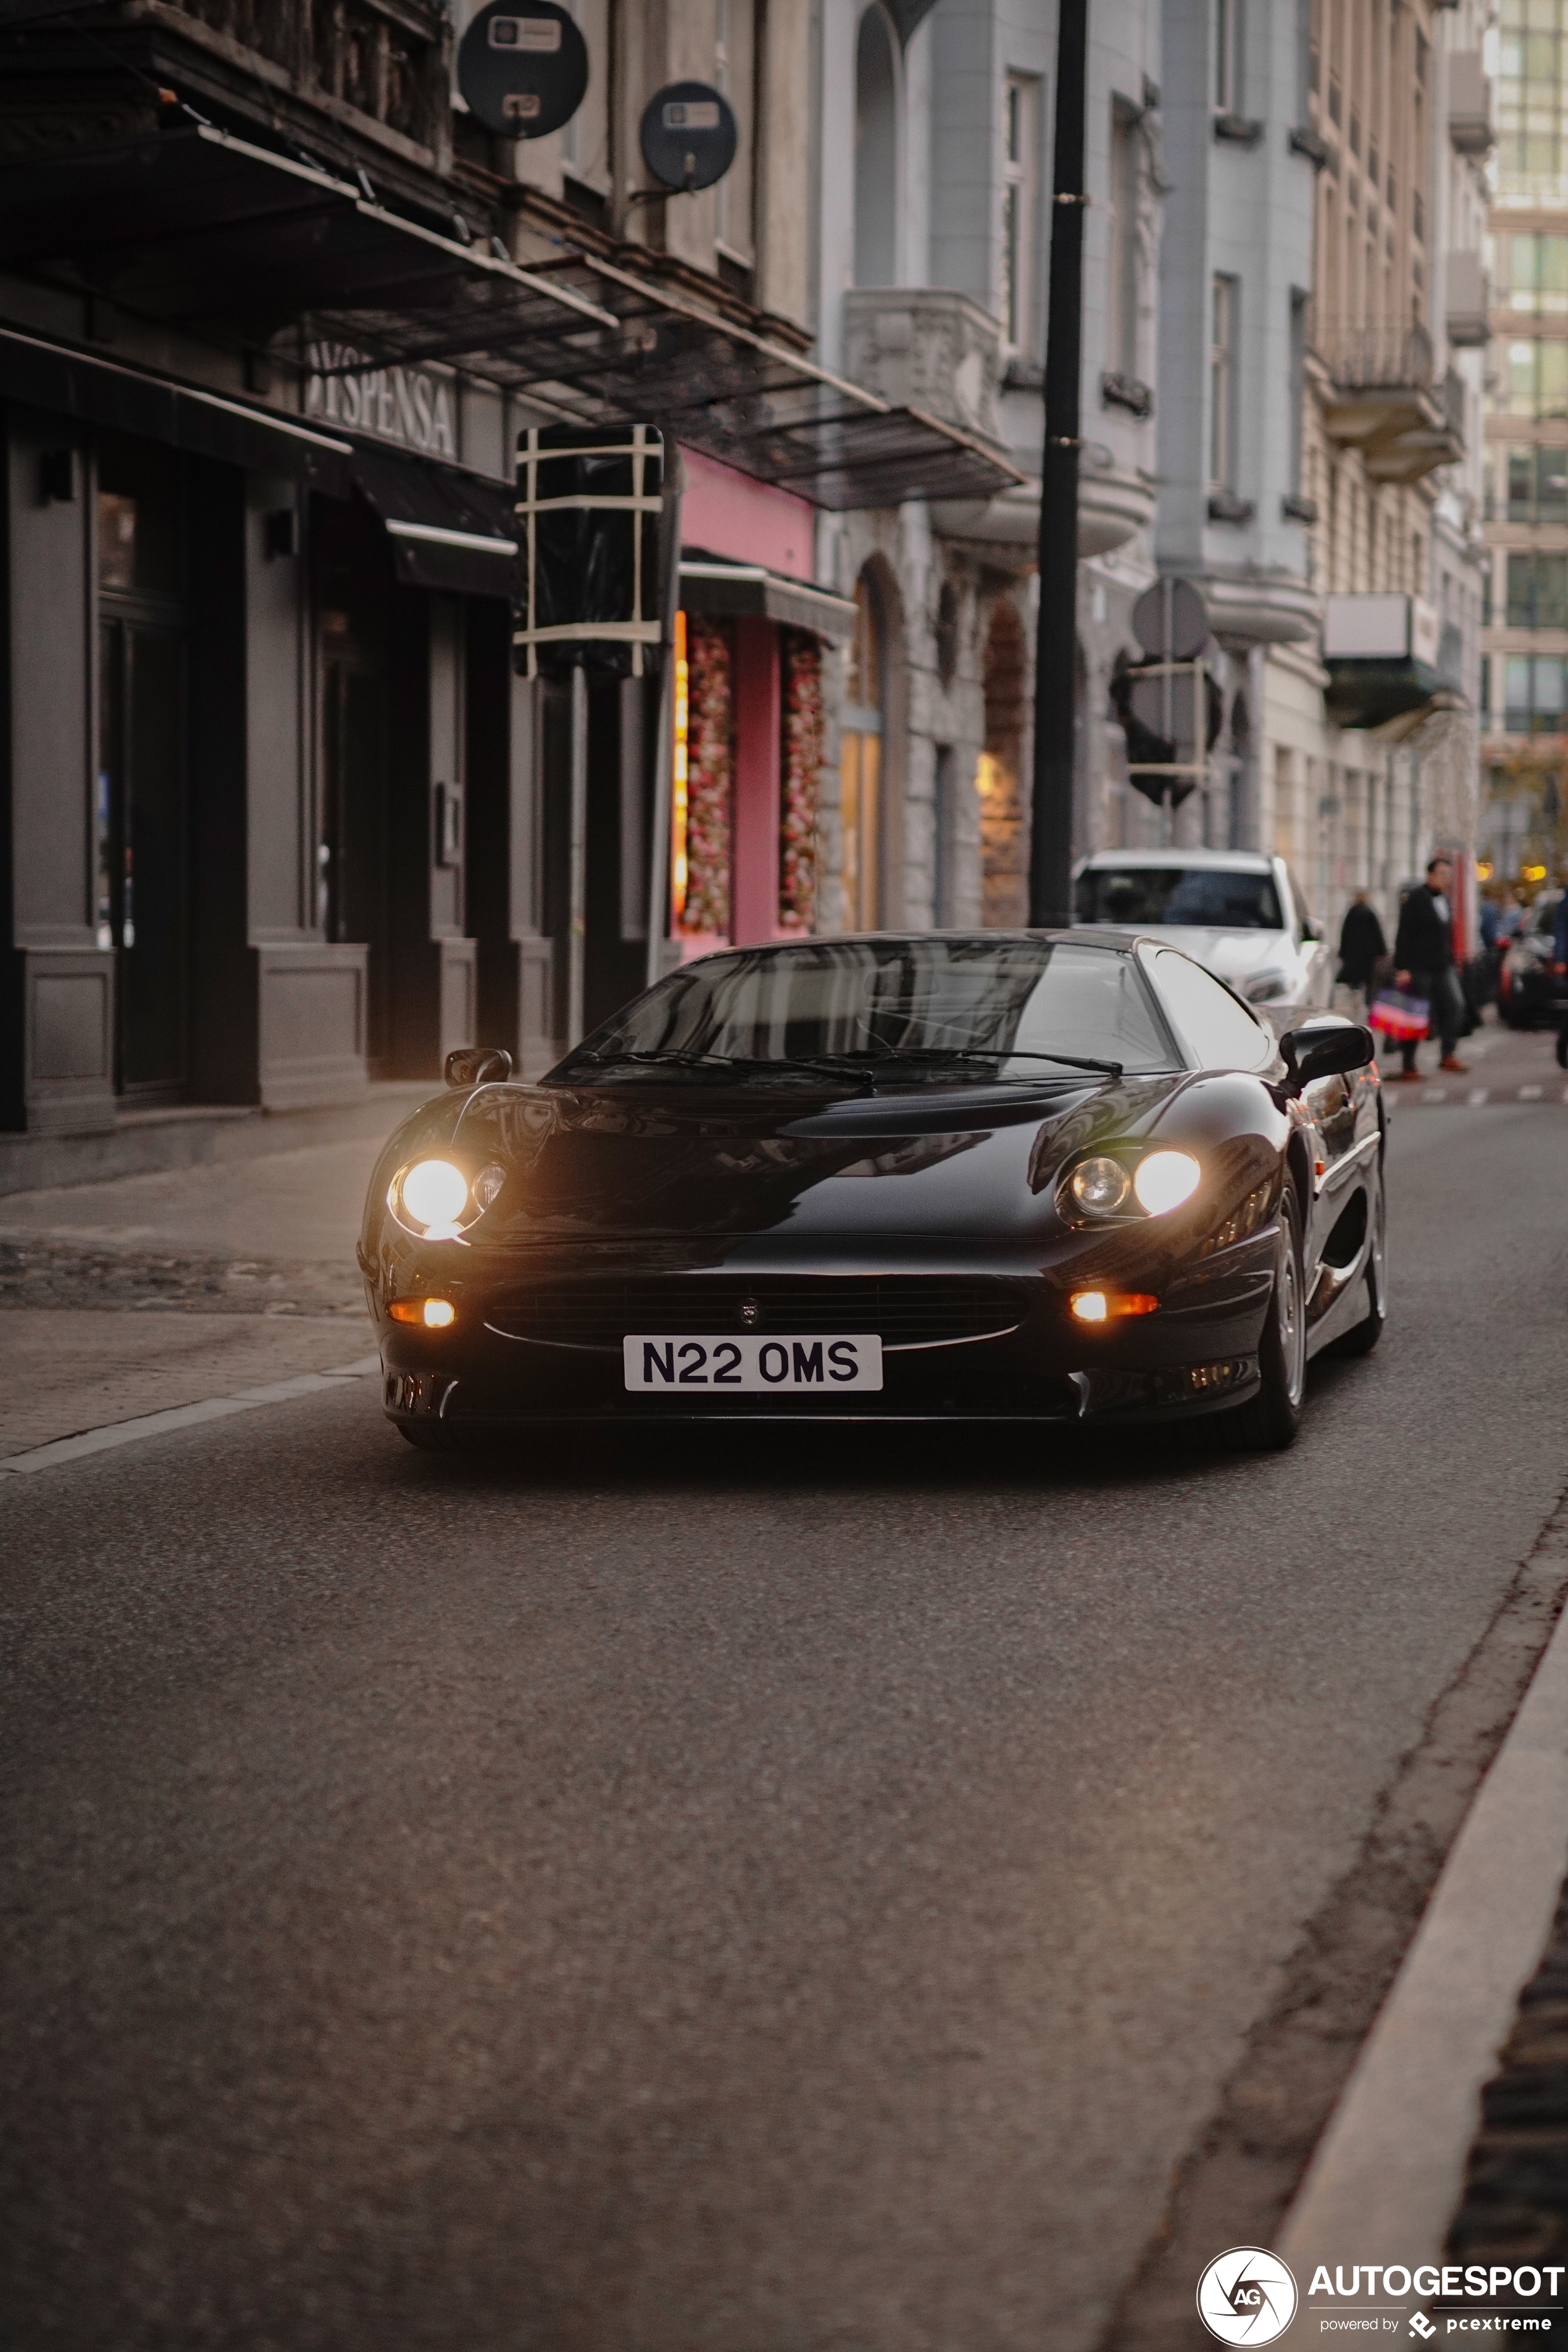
[749, 711]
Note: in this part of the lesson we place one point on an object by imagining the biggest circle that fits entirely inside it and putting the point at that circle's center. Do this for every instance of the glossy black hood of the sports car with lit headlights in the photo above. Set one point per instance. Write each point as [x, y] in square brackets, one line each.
[631, 1163]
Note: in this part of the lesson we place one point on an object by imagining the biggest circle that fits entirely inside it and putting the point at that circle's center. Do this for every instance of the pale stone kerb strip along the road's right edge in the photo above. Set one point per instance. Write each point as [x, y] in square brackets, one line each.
[1388, 2172]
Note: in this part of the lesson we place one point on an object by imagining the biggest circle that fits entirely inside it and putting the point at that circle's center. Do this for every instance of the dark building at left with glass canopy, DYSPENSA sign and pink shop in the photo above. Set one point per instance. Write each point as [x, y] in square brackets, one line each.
[276, 314]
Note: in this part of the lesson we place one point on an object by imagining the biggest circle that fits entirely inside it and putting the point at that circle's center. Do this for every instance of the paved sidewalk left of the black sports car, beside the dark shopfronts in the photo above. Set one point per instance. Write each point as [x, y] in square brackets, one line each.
[163, 1290]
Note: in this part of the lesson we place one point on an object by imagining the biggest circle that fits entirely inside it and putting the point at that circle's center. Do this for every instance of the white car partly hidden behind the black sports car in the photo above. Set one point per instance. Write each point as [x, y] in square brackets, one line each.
[1238, 914]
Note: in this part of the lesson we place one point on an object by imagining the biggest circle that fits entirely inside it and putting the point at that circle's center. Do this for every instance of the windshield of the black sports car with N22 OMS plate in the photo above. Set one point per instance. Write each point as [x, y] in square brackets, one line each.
[942, 1010]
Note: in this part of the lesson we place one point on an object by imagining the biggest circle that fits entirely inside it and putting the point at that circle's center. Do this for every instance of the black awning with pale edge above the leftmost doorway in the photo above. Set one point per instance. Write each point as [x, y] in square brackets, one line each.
[133, 401]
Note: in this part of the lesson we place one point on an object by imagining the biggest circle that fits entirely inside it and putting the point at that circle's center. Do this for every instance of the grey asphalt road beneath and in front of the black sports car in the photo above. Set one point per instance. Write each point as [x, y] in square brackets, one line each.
[728, 1899]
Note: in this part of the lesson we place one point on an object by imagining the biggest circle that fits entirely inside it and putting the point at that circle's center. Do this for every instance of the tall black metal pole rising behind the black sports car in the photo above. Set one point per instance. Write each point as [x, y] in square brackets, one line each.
[1059, 493]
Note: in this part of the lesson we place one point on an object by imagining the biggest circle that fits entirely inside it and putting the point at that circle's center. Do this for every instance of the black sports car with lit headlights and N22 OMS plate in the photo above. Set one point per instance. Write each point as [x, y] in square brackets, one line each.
[1010, 1177]
